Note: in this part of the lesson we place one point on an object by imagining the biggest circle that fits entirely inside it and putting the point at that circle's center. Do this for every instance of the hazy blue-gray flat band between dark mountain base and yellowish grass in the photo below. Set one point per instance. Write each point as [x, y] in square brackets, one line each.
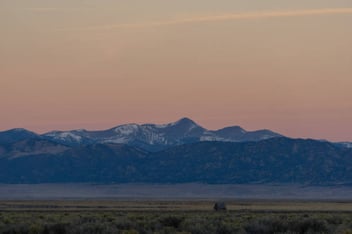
[172, 192]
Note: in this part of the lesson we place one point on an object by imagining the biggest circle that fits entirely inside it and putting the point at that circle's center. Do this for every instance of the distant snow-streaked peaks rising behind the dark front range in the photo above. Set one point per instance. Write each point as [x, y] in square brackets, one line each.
[151, 137]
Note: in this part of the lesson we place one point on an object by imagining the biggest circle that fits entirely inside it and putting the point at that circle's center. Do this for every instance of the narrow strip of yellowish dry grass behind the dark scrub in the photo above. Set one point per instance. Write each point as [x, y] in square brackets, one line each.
[114, 205]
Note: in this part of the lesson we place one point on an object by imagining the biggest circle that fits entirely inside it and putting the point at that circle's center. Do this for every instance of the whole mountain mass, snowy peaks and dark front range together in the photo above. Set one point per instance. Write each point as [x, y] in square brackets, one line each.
[179, 152]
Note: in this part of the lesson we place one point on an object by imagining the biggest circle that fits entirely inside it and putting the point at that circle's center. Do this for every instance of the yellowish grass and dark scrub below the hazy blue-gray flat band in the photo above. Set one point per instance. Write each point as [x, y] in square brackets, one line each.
[174, 217]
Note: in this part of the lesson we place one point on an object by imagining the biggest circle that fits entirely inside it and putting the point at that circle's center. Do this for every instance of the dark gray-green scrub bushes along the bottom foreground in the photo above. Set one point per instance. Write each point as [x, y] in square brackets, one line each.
[172, 222]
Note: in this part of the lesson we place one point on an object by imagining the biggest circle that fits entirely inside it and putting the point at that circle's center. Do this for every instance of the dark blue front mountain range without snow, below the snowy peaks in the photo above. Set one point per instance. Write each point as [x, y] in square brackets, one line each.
[276, 160]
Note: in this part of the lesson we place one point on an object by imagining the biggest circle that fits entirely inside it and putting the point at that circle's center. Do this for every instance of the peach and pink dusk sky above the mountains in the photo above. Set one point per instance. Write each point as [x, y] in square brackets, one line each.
[282, 65]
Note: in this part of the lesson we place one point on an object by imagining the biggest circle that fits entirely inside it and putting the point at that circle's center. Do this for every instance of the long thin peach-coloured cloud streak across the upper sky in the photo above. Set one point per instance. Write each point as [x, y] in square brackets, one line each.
[226, 17]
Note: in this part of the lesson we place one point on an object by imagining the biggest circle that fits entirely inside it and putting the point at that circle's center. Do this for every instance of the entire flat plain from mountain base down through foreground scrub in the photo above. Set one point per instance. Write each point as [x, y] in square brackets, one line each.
[174, 208]
